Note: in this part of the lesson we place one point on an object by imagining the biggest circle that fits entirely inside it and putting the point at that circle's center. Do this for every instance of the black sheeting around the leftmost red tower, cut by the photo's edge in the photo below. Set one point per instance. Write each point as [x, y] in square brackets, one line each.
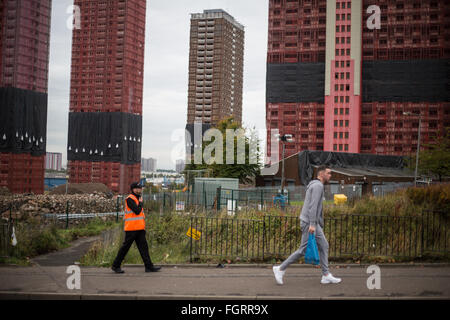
[23, 121]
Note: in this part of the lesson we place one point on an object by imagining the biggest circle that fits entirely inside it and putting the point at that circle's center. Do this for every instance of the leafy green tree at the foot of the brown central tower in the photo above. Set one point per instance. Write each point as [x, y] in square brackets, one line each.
[219, 168]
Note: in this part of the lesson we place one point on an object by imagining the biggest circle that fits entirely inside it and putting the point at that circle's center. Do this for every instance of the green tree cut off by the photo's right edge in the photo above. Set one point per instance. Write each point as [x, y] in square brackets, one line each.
[435, 158]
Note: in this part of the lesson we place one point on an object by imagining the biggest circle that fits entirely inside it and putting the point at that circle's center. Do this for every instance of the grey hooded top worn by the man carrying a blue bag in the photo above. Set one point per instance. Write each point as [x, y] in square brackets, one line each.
[312, 207]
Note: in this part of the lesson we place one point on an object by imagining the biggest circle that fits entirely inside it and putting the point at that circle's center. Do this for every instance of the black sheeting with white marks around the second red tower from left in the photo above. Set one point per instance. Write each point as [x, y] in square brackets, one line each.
[105, 136]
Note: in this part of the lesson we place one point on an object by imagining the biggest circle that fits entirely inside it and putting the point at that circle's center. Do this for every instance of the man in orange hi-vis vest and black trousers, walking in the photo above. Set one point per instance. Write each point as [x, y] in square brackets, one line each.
[134, 219]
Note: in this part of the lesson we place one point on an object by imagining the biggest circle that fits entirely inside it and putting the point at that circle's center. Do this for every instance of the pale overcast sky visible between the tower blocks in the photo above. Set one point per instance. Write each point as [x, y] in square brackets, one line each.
[165, 71]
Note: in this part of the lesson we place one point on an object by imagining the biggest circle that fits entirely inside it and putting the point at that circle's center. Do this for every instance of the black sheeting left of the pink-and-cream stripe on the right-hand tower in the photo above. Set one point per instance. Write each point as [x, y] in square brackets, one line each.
[295, 82]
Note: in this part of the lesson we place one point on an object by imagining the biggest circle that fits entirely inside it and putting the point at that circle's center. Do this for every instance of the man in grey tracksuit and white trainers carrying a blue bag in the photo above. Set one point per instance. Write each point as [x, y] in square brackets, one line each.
[311, 221]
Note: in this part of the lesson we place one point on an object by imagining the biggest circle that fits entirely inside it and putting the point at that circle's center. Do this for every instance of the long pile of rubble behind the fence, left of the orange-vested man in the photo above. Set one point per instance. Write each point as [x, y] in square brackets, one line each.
[24, 207]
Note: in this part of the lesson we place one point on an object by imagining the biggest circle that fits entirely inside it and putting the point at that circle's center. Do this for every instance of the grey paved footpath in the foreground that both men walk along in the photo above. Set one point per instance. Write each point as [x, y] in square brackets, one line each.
[231, 282]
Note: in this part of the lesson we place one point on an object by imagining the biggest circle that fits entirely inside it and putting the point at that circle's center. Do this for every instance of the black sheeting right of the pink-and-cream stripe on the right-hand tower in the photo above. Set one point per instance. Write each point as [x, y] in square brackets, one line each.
[406, 81]
